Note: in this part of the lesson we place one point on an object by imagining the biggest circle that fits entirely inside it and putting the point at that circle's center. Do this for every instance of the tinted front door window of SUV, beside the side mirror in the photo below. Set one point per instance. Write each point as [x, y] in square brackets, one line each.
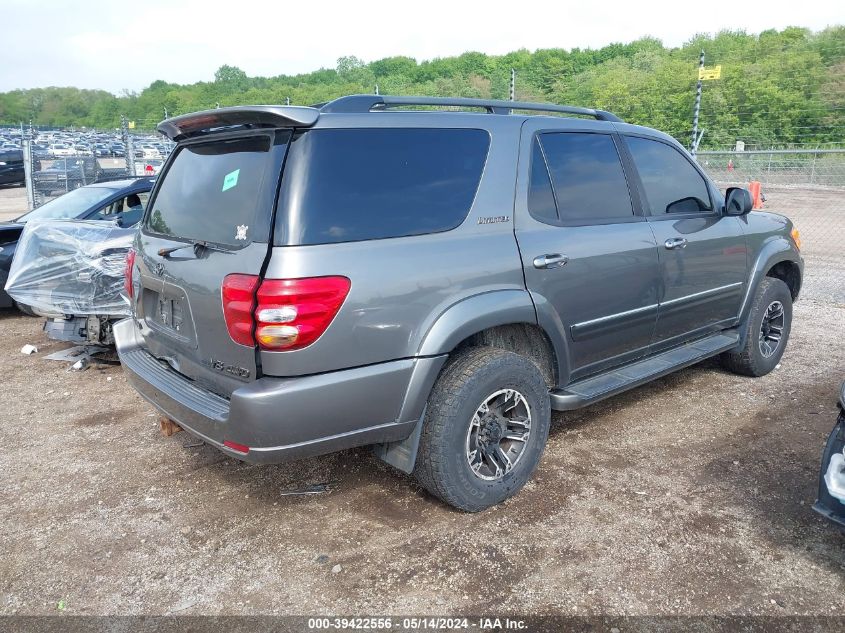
[672, 185]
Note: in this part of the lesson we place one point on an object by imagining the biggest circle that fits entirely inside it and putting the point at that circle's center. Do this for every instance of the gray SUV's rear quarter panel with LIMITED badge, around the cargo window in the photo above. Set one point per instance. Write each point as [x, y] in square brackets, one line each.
[401, 286]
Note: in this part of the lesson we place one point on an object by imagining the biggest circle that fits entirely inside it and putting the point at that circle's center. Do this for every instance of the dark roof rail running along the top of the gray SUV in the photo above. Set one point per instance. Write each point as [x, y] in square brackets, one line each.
[366, 103]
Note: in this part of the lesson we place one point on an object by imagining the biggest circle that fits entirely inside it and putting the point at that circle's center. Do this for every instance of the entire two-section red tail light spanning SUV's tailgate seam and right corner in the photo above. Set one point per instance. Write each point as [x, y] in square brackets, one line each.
[286, 314]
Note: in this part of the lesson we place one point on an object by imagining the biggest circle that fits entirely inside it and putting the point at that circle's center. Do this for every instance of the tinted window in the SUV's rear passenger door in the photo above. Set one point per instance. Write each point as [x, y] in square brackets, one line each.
[587, 177]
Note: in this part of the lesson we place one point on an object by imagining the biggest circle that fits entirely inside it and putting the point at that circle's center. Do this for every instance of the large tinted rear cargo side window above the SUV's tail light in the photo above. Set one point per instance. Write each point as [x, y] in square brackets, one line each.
[344, 185]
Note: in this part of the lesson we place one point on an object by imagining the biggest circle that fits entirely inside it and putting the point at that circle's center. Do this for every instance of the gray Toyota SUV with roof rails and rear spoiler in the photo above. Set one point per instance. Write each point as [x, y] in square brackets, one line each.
[433, 277]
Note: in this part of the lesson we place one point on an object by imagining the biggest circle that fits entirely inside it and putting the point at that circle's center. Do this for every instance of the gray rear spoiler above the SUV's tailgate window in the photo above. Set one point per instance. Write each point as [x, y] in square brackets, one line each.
[198, 123]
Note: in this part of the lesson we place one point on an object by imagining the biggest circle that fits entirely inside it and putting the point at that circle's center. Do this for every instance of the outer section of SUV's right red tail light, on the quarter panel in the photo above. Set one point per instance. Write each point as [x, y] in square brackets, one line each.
[293, 313]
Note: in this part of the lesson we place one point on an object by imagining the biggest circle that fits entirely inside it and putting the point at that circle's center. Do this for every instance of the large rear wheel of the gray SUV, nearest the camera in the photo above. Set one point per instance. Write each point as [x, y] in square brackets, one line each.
[453, 426]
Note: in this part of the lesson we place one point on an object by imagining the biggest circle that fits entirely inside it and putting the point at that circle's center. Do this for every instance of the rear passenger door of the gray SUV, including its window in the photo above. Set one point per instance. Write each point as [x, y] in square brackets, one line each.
[587, 251]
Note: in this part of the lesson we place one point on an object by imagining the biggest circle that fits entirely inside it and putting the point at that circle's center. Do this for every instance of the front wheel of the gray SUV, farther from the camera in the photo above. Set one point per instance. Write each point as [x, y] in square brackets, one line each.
[761, 354]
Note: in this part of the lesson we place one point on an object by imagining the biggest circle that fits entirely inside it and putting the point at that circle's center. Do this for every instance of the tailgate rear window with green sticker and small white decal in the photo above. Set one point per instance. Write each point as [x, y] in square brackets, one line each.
[213, 192]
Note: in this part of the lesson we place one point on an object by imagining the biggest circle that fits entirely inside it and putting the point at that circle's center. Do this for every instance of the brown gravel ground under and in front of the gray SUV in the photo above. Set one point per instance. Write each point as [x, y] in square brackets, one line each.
[691, 495]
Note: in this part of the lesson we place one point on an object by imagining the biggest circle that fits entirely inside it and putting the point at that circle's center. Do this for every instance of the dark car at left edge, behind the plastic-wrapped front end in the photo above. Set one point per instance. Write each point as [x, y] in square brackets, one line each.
[120, 200]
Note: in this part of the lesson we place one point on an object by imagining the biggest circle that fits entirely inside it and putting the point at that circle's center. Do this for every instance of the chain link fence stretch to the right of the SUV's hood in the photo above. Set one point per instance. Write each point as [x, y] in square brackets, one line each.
[806, 185]
